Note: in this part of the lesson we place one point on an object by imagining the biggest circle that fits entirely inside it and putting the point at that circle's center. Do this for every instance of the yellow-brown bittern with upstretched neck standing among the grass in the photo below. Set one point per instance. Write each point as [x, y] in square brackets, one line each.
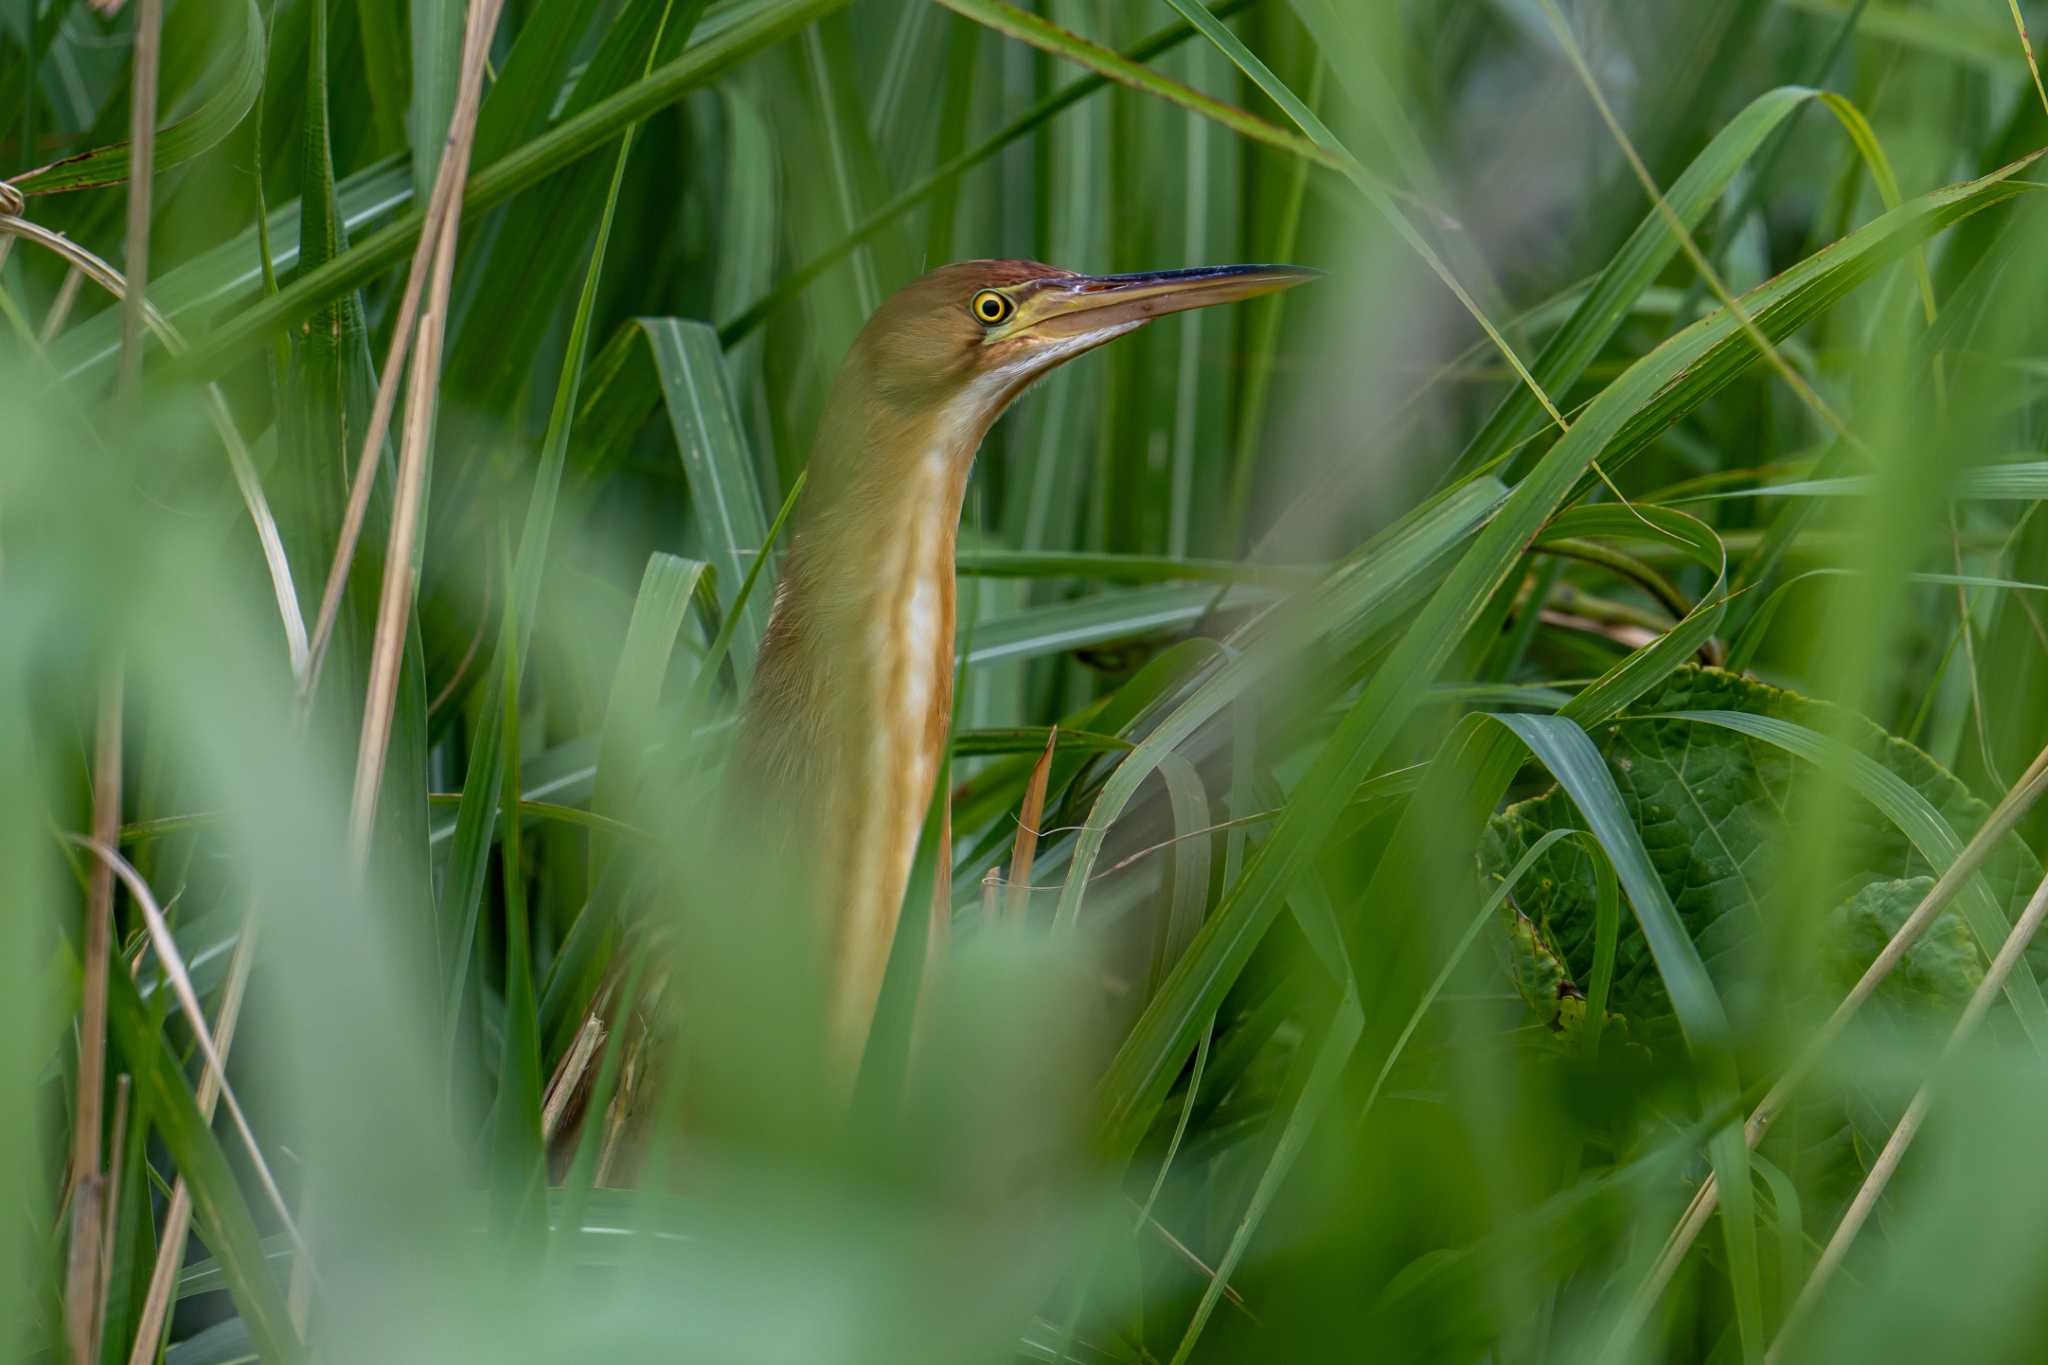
[853, 695]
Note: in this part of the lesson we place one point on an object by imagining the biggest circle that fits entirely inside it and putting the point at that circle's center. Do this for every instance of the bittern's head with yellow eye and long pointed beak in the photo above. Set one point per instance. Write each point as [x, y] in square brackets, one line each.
[974, 335]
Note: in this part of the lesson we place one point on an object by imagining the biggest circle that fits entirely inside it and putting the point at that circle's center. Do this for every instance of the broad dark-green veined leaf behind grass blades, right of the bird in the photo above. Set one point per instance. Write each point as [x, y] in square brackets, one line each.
[1713, 807]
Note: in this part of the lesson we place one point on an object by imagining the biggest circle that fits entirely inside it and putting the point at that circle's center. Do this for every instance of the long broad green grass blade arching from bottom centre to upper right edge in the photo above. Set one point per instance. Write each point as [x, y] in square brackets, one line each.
[1627, 414]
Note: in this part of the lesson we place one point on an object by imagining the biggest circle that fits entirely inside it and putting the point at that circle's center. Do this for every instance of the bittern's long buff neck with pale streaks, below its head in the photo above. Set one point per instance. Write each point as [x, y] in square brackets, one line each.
[853, 693]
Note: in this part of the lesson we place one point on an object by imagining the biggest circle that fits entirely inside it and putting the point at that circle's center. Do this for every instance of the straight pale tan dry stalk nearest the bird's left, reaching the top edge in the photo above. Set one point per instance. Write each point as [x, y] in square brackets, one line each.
[394, 607]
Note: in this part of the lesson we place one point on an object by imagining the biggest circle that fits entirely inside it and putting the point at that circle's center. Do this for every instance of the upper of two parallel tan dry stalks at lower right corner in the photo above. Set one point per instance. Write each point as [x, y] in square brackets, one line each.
[2000, 824]
